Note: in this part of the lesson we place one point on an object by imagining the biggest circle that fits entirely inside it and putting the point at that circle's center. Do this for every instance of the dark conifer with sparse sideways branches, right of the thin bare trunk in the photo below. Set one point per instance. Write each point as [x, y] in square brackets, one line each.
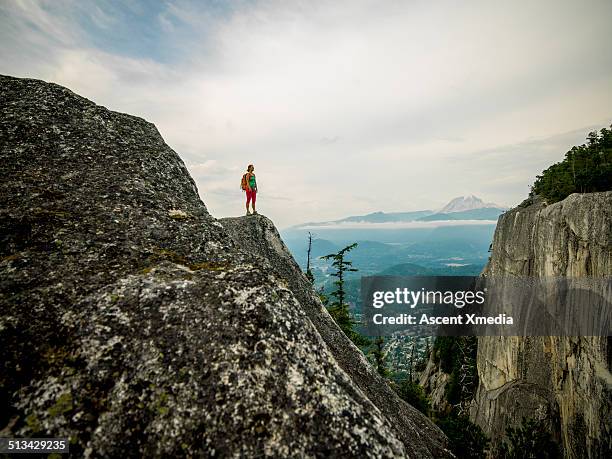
[338, 308]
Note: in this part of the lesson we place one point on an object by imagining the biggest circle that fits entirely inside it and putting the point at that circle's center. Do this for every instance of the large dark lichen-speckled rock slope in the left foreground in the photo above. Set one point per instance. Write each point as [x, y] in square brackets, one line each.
[132, 322]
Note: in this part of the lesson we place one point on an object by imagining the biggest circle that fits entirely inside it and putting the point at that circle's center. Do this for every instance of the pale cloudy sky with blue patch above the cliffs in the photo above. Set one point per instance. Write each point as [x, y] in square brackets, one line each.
[344, 107]
